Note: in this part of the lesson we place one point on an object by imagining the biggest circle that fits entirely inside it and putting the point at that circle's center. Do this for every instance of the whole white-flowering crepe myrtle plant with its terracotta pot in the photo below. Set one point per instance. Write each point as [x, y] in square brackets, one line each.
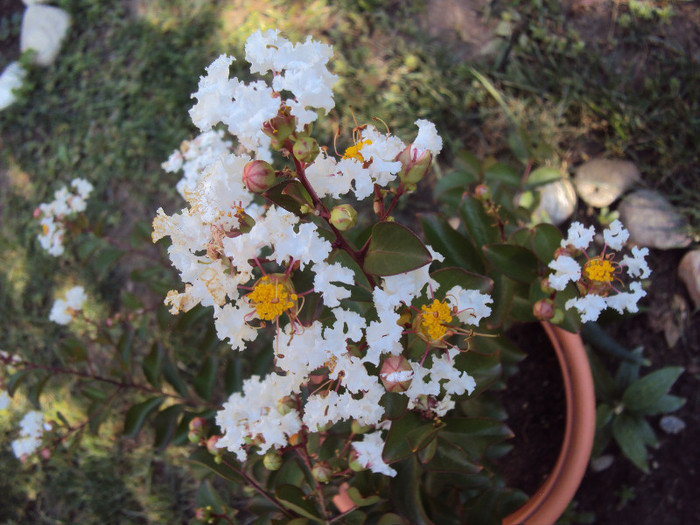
[359, 352]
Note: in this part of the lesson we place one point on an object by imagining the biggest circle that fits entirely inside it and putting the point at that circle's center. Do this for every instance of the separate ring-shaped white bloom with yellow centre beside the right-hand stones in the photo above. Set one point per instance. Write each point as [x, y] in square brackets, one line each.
[599, 278]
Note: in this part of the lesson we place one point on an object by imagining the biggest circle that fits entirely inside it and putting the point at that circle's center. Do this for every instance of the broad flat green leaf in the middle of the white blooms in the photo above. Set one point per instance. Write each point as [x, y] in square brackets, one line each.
[394, 249]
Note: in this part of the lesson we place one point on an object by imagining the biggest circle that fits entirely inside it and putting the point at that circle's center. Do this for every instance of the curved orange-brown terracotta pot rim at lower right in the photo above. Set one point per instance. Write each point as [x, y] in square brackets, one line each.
[552, 498]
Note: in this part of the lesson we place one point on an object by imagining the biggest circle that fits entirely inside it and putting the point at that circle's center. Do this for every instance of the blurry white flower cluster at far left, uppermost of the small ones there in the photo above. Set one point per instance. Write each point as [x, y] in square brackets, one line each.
[53, 216]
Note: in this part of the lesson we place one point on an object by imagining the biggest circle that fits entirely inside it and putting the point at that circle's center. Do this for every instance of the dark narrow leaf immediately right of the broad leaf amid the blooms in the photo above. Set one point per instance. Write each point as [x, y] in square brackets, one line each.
[455, 247]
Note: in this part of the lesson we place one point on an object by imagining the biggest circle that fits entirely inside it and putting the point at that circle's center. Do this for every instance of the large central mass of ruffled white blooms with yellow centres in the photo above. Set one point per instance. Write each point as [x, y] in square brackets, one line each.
[246, 260]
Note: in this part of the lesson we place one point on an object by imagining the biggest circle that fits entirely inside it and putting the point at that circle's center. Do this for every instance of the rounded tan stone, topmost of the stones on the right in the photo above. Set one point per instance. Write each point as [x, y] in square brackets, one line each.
[600, 182]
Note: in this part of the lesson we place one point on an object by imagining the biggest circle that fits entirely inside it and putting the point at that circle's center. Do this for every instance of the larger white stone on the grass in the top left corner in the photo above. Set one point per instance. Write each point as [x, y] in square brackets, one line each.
[43, 29]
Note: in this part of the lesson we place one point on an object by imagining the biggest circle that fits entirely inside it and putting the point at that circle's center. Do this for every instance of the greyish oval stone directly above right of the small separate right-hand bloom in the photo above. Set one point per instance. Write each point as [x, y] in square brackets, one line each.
[653, 221]
